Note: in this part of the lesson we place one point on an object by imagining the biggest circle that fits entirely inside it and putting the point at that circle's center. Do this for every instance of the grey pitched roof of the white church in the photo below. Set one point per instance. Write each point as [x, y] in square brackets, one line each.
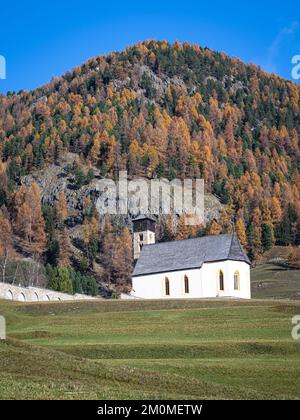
[188, 254]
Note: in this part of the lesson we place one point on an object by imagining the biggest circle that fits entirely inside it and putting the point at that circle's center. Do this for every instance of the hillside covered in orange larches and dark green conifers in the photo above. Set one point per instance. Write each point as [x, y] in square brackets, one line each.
[156, 110]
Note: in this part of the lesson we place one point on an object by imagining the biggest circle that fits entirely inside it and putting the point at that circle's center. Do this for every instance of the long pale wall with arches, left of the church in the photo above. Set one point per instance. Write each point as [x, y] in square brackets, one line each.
[36, 294]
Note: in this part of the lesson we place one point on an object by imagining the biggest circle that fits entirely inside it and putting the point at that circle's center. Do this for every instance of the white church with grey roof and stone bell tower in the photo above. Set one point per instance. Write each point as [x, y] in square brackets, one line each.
[205, 267]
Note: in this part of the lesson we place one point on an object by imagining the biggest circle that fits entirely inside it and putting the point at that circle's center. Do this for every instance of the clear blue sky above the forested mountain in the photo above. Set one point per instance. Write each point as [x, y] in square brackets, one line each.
[41, 39]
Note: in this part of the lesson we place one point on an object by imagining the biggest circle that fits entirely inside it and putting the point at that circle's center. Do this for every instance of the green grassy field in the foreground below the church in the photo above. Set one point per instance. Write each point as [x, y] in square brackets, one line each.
[196, 349]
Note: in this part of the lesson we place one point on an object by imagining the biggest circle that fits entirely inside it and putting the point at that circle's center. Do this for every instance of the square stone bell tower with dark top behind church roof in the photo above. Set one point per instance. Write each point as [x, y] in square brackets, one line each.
[143, 233]
